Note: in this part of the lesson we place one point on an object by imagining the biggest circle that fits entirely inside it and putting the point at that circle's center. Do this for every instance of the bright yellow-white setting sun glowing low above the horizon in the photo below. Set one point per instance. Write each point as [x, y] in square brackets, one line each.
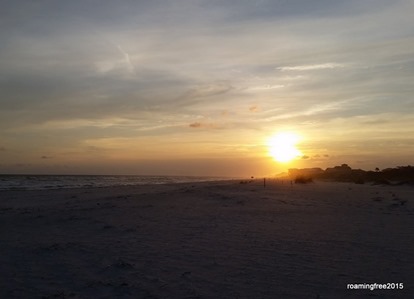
[282, 147]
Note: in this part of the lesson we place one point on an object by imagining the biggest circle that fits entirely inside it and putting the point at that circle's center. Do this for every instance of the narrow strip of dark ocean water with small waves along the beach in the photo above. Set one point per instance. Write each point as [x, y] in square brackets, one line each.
[44, 182]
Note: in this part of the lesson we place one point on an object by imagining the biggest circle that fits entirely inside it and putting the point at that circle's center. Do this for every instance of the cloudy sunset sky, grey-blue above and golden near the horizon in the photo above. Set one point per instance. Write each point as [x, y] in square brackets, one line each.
[197, 87]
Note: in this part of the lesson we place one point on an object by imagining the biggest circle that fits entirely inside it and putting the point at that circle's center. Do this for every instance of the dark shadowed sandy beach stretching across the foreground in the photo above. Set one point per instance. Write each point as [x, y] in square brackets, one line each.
[207, 240]
